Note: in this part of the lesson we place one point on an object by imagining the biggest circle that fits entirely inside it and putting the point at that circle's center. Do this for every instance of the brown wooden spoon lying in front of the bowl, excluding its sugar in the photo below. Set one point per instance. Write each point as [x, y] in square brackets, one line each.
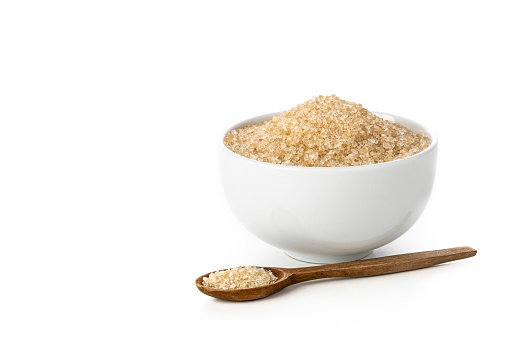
[360, 268]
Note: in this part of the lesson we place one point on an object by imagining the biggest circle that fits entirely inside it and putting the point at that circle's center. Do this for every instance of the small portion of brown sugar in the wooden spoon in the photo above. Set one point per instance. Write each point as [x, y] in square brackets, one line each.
[239, 277]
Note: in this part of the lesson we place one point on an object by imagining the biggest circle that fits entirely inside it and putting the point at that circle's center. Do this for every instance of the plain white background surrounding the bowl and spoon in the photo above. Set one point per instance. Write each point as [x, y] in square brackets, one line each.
[110, 199]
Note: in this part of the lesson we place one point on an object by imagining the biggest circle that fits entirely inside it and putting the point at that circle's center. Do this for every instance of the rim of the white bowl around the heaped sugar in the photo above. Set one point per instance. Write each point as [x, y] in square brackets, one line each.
[268, 116]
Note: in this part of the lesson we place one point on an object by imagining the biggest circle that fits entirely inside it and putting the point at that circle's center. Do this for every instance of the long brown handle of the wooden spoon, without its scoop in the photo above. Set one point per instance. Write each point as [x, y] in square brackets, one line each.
[379, 266]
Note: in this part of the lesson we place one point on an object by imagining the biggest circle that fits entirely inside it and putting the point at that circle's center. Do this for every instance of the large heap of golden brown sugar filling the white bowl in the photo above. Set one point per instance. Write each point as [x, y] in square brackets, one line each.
[326, 132]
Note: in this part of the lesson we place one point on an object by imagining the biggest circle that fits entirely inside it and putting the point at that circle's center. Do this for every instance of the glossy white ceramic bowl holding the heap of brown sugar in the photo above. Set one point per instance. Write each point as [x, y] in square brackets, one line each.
[329, 214]
